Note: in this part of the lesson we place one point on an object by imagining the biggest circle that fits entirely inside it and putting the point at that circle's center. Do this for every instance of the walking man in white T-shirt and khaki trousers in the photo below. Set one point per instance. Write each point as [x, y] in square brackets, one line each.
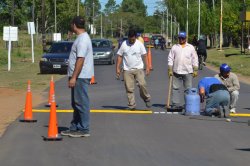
[130, 54]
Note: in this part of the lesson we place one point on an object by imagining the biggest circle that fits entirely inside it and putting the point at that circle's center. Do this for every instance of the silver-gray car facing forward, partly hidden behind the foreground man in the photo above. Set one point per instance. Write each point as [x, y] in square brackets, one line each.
[103, 51]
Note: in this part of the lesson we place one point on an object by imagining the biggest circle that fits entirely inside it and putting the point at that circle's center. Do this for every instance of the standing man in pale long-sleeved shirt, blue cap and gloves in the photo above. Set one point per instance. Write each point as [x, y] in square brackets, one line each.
[183, 66]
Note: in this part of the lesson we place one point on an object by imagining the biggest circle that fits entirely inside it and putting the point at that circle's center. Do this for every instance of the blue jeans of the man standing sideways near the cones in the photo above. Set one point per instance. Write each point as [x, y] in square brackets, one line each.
[80, 104]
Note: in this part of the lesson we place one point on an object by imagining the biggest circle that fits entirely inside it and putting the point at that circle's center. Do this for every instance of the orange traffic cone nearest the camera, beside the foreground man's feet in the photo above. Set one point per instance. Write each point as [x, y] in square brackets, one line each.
[53, 126]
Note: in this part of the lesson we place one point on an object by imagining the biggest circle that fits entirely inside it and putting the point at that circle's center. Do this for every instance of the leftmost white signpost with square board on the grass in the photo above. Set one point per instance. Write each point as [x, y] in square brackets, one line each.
[10, 34]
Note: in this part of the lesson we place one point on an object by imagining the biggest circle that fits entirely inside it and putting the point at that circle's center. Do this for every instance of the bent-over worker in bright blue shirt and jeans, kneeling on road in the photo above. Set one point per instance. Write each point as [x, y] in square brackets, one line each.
[216, 94]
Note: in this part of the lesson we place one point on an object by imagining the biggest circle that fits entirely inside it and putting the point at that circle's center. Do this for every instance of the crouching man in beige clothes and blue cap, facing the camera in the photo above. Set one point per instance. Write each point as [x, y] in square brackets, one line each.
[230, 80]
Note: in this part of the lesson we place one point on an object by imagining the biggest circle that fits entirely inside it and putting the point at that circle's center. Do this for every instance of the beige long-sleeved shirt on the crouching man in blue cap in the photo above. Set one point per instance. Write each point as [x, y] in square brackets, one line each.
[232, 82]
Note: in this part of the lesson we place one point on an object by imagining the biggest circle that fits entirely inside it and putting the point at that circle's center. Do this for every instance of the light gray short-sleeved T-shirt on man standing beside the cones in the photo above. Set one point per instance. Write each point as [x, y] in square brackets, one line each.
[82, 47]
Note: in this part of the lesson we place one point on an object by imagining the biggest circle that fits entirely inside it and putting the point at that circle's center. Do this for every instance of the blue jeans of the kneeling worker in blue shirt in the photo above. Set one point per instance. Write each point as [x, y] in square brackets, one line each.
[216, 100]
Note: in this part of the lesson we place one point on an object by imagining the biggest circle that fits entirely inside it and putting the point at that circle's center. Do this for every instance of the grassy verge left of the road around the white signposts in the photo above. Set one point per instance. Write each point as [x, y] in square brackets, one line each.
[22, 68]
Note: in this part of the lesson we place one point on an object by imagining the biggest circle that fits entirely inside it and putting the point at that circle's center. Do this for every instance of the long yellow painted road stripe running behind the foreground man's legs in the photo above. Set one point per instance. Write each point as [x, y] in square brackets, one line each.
[104, 111]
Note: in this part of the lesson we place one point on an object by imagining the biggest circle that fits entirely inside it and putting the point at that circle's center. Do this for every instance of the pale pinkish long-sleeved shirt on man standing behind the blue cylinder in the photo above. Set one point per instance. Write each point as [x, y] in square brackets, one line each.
[183, 59]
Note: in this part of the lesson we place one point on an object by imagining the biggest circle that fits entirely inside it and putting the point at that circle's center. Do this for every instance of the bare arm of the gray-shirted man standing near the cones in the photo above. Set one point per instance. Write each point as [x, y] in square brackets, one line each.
[77, 70]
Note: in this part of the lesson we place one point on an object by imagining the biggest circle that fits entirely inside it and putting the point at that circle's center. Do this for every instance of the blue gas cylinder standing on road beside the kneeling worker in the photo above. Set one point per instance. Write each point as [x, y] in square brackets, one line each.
[192, 102]
